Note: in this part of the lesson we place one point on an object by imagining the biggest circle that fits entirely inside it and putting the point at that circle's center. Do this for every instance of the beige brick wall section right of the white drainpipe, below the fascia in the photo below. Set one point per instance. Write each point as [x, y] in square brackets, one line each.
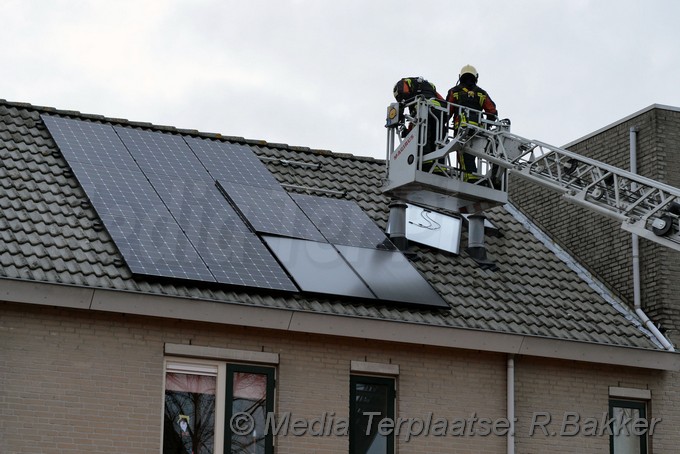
[563, 387]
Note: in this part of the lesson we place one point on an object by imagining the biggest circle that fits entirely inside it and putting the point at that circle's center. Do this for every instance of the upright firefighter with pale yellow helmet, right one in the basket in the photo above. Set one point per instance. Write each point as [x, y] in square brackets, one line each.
[468, 94]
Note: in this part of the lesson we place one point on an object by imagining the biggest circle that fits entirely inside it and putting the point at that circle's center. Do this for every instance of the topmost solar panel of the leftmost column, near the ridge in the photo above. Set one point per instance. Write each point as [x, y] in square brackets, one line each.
[89, 143]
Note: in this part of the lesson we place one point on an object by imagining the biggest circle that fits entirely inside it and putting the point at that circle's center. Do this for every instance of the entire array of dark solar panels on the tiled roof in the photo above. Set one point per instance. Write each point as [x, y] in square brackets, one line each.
[205, 210]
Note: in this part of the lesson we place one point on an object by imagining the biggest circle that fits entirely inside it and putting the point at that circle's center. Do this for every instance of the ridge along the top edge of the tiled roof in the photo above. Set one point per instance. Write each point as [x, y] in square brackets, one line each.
[194, 132]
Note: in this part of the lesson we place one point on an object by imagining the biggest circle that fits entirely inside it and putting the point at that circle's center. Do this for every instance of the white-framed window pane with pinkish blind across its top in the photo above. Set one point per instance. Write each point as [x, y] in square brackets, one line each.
[189, 423]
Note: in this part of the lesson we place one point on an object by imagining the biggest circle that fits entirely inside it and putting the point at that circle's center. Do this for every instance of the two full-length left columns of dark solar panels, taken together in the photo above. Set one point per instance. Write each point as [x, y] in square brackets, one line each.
[165, 214]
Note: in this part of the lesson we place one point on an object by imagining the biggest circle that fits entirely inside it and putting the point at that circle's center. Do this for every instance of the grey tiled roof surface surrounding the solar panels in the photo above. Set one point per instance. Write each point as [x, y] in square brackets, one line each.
[49, 233]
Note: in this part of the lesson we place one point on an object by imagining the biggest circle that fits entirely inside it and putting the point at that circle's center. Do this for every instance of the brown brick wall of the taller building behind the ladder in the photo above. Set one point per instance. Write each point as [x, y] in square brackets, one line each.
[598, 242]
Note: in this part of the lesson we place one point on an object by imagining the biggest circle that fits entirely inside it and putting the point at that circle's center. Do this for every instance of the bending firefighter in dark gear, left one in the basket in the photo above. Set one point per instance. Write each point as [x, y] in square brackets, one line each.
[406, 90]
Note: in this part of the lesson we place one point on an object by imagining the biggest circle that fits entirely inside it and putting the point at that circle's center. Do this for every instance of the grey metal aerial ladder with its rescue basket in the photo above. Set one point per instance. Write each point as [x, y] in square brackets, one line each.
[645, 207]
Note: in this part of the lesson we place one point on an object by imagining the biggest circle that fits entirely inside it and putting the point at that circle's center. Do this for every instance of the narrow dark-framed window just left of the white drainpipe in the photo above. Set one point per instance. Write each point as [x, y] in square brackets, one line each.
[371, 400]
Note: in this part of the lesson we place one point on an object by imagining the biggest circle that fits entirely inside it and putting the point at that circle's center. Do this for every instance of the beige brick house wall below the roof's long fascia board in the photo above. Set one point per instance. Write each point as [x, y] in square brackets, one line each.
[76, 381]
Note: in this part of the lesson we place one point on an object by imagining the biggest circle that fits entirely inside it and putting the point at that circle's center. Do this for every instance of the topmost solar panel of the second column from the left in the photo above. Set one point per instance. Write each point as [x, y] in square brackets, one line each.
[161, 153]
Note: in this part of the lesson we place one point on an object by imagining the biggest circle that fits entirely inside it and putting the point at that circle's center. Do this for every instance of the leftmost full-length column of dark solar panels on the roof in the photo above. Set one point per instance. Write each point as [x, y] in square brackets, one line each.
[142, 227]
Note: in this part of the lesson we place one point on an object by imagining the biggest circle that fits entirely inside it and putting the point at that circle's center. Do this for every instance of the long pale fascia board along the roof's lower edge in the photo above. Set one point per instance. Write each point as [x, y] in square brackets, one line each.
[235, 313]
